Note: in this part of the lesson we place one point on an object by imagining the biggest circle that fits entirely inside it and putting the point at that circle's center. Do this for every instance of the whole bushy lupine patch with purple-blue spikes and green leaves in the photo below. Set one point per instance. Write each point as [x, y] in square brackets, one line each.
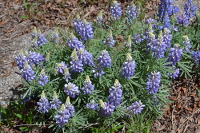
[85, 79]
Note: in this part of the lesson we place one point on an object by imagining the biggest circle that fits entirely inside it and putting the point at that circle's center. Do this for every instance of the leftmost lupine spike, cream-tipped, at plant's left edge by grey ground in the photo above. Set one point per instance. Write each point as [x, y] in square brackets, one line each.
[21, 59]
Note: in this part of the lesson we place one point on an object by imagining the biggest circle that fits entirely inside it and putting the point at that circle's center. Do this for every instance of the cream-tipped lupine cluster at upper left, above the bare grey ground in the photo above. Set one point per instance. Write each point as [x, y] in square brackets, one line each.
[38, 38]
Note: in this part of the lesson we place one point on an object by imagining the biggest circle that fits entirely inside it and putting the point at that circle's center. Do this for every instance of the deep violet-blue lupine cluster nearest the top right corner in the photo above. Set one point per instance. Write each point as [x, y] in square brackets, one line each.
[189, 12]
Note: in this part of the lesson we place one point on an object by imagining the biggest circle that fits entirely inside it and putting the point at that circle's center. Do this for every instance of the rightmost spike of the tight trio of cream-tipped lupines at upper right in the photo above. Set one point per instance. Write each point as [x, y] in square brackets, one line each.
[167, 38]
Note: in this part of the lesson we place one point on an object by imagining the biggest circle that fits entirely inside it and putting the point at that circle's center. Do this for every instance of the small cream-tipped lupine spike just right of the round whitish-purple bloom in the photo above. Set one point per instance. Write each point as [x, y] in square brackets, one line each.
[88, 87]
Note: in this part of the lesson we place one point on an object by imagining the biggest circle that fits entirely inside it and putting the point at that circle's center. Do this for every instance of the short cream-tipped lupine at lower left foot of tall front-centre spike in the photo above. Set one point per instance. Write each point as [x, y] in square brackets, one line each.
[107, 109]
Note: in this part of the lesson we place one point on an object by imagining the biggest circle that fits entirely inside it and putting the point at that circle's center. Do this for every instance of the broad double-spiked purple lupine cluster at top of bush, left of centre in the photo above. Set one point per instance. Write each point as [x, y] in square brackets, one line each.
[83, 29]
